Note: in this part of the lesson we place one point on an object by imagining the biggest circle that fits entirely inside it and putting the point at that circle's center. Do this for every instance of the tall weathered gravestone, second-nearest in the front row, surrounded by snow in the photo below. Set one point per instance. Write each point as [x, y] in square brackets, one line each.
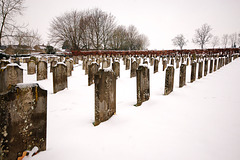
[105, 95]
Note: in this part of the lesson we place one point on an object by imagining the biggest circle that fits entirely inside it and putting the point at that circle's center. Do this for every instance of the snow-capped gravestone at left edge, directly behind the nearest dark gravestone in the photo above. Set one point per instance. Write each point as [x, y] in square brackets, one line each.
[12, 74]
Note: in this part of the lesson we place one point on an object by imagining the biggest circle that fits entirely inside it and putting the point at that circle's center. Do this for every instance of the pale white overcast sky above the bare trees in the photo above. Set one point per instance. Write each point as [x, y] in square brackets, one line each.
[159, 20]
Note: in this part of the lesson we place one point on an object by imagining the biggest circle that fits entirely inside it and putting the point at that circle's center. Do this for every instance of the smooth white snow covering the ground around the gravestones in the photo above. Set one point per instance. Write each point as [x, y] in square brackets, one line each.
[197, 122]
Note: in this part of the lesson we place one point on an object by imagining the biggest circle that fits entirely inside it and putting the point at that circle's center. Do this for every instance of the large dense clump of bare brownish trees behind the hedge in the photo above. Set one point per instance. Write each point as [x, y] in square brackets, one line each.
[94, 30]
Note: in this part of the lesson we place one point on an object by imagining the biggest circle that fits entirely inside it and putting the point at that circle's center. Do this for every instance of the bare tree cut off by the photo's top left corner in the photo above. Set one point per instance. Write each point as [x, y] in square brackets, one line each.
[9, 9]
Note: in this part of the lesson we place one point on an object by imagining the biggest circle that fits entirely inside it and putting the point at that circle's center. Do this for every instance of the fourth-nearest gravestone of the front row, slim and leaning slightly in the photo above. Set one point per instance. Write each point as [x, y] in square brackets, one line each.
[169, 80]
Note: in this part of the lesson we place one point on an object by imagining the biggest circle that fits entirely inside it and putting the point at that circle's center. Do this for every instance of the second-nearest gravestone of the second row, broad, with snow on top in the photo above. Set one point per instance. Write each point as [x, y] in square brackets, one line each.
[59, 77]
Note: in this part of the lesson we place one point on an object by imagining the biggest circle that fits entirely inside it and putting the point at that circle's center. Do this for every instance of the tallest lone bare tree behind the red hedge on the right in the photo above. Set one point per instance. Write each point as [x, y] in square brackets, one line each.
[202, 35]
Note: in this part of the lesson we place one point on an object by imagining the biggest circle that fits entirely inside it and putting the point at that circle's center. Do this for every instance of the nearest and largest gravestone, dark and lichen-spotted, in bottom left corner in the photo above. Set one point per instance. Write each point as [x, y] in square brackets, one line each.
[23, 120]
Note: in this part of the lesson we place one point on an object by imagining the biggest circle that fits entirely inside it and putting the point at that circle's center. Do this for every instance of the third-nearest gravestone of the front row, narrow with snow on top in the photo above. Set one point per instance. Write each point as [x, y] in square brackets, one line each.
[143, 84]
